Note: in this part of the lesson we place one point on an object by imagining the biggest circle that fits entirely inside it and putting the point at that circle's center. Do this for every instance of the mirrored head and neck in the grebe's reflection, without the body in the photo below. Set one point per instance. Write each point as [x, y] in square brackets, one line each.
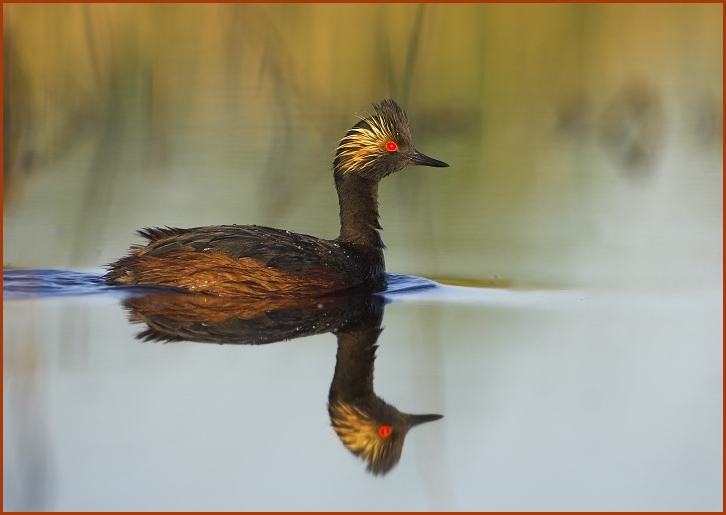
[368, 426]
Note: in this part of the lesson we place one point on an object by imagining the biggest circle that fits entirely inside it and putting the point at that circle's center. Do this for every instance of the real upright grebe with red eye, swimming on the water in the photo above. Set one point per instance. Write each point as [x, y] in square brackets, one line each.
[250, 260]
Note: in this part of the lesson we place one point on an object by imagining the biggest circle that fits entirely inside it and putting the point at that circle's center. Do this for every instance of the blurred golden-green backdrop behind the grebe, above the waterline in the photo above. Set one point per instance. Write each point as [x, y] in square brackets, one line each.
[585, 141]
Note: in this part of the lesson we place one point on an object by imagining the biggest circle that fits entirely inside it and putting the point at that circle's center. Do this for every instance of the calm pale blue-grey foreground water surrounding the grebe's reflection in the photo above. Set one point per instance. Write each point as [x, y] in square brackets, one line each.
[551, 400]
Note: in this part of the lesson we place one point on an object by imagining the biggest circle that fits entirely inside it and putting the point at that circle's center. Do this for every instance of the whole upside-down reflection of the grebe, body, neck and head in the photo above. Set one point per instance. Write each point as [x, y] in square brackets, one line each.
[369, 427]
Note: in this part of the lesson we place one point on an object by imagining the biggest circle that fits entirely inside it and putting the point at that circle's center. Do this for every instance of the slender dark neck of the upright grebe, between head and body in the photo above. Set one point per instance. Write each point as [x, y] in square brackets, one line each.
[358, 200]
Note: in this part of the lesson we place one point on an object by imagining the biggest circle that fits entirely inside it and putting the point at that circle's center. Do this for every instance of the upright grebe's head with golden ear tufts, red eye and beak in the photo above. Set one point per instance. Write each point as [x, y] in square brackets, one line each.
[379, 145]
